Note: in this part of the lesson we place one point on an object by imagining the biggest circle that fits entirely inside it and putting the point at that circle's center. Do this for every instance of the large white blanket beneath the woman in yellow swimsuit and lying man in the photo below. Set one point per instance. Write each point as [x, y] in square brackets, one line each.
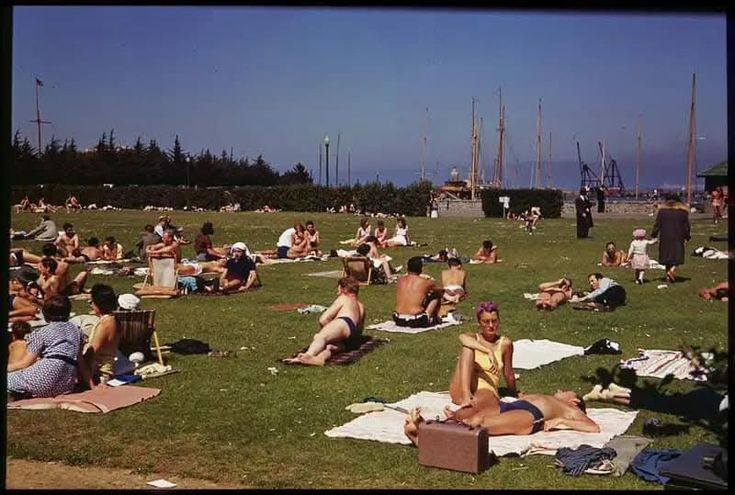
[387, 426]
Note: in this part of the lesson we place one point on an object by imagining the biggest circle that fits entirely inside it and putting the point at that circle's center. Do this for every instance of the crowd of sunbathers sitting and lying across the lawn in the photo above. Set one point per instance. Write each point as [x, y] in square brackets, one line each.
[61, 357]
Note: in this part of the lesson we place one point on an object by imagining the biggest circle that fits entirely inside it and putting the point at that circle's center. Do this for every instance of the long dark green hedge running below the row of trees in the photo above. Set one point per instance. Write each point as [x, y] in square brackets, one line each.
[372, 197]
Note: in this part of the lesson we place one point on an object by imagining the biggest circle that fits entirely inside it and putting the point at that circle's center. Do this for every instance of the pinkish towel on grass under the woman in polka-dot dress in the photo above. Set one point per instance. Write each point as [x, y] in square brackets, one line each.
[98, 400]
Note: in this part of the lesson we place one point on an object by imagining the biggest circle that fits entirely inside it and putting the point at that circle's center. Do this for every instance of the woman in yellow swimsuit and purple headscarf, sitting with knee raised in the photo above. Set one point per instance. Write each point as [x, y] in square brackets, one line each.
[483, 359]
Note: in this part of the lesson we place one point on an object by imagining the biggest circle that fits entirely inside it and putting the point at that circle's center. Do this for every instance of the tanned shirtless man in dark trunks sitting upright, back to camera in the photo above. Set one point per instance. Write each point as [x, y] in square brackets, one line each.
[417, 298]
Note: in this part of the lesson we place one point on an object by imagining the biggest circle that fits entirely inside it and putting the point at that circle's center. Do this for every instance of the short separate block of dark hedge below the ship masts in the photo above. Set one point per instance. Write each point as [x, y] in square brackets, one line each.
[550, 201]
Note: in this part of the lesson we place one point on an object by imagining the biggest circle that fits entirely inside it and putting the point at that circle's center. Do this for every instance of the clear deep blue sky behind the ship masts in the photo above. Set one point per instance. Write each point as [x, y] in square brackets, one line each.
[275, 81]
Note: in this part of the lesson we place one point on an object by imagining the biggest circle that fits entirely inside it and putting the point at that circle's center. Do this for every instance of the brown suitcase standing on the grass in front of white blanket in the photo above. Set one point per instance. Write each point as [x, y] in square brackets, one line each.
[453, 445]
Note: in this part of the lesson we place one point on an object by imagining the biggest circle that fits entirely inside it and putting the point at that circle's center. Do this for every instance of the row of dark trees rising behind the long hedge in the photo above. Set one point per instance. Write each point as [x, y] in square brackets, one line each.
[141, 164]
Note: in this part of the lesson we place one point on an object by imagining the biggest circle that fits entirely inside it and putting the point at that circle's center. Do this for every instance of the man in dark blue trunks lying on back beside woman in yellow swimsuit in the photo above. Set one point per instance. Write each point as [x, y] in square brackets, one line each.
[529, 414]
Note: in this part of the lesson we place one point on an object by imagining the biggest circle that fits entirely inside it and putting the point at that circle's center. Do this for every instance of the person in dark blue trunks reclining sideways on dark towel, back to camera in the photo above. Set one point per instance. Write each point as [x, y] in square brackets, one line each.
[341, 325]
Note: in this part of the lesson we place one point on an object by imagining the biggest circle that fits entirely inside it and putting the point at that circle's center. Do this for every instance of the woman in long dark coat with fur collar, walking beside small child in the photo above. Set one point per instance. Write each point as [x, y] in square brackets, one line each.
[672, 230]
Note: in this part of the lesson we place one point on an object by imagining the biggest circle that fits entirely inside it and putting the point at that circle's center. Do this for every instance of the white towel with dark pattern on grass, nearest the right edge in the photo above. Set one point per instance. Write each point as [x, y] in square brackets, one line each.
[660, 363]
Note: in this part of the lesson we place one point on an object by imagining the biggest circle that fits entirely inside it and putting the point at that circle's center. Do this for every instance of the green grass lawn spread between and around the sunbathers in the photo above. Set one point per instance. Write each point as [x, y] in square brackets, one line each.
[230, 420]
